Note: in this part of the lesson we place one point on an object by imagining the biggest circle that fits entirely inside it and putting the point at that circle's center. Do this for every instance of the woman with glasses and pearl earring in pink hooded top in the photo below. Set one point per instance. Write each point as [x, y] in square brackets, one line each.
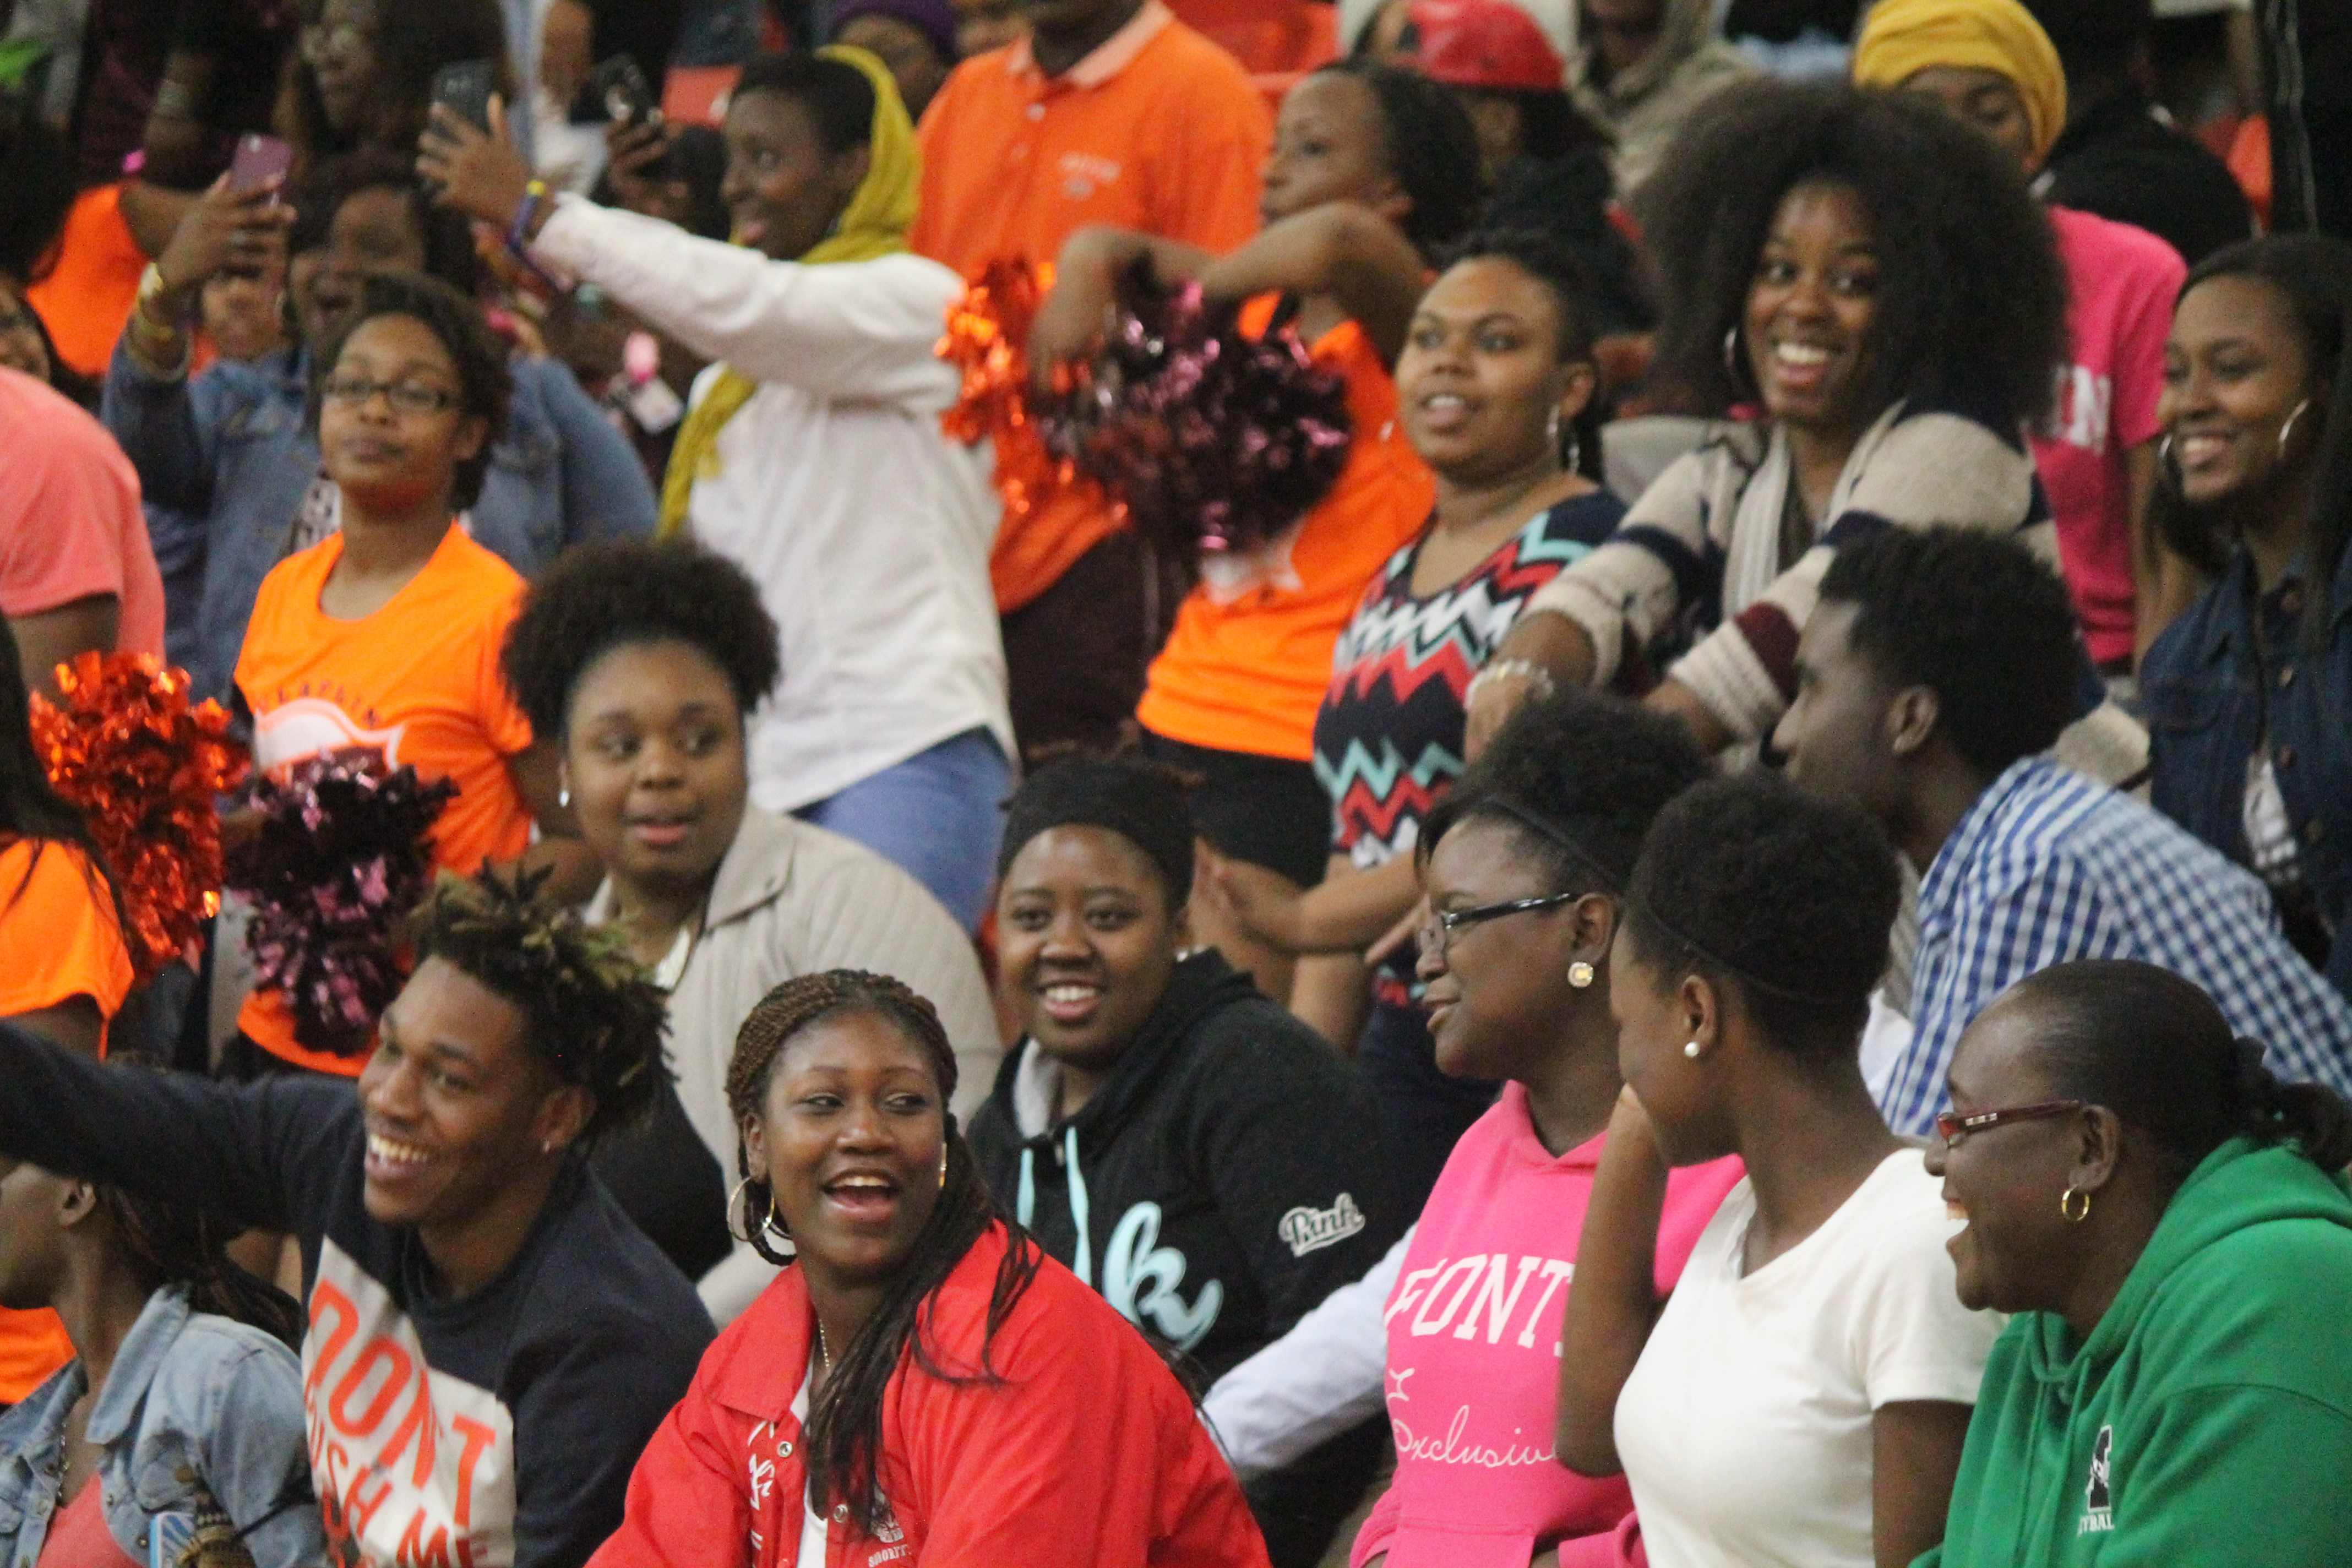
[1525, 866]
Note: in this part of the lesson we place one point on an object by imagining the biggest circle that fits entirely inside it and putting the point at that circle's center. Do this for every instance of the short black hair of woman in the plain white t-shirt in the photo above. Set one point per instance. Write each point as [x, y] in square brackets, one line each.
[1779, 894]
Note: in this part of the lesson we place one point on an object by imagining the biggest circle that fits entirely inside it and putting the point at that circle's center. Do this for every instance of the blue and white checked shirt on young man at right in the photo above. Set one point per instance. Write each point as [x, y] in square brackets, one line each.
[2047, 869]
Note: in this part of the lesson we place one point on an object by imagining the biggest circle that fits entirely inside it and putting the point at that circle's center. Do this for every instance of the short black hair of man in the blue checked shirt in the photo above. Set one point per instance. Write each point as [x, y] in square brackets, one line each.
[1975, 617]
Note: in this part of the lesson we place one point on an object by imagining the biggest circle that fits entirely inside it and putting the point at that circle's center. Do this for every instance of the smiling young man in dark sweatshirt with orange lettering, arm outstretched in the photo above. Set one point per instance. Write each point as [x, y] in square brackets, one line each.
[462, 1261]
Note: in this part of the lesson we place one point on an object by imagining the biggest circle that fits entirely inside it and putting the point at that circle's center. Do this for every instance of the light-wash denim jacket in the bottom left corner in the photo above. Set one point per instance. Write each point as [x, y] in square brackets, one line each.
[192, 1398]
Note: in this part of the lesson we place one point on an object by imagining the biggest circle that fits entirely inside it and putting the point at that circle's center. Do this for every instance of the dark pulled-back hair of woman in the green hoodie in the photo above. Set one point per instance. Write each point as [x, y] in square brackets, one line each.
[2151, 1047]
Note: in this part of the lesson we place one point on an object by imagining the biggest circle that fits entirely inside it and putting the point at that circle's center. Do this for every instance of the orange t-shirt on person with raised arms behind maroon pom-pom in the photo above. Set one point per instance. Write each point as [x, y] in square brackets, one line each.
[1250, 674]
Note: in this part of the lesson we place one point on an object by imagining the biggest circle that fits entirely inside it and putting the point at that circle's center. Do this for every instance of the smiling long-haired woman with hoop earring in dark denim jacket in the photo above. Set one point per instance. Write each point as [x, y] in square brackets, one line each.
[2250, 697]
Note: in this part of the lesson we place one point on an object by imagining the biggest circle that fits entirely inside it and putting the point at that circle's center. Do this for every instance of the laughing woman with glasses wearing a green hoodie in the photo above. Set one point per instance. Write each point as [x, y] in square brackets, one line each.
[2170, 1228]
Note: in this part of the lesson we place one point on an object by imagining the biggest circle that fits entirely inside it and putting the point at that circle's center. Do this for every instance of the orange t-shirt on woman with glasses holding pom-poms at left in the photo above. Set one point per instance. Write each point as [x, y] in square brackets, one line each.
[417, 683]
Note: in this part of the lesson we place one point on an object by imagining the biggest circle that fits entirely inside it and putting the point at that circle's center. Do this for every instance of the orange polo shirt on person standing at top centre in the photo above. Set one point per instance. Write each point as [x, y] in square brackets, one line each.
[1156, 130]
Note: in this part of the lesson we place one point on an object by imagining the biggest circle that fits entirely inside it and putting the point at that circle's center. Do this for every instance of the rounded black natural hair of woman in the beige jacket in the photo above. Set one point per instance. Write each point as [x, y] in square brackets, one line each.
[632, 594]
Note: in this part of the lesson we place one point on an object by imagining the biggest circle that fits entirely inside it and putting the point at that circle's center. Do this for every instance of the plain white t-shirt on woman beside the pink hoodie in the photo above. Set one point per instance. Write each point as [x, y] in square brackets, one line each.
[1746, 1423]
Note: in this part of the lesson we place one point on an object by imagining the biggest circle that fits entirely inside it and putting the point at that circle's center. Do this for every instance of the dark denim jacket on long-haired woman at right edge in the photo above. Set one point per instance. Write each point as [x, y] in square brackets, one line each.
[2205, 721]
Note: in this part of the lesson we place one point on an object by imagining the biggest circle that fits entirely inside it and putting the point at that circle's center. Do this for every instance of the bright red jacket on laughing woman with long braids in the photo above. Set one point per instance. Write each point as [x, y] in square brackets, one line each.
[1085, 1454]
